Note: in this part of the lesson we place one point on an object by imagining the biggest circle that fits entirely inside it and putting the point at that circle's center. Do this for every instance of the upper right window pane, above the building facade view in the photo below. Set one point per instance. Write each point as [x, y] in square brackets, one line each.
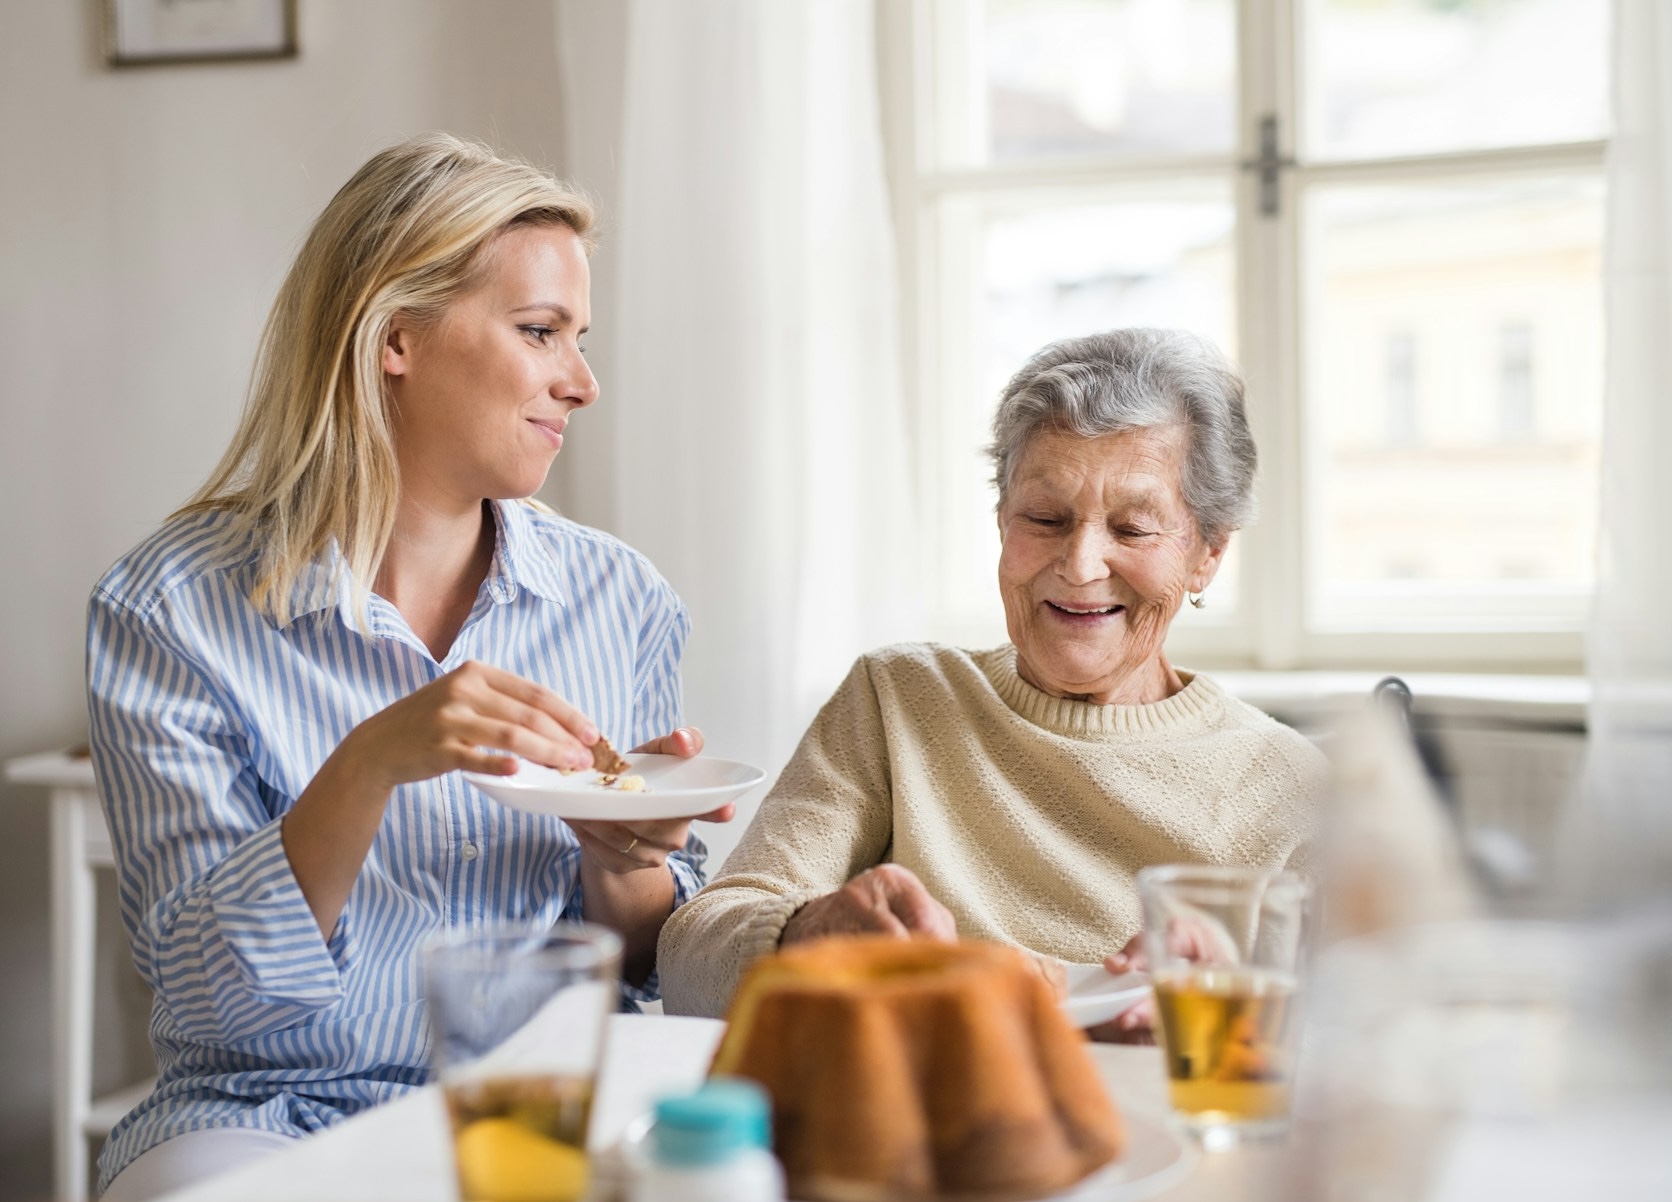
[1390, 78]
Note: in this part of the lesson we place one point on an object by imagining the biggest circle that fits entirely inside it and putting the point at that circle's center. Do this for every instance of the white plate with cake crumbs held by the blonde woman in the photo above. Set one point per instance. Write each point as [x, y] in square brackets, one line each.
[675, 788]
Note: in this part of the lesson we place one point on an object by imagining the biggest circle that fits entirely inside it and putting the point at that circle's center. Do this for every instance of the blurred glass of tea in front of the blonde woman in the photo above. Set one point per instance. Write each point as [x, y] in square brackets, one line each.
[517, 1019]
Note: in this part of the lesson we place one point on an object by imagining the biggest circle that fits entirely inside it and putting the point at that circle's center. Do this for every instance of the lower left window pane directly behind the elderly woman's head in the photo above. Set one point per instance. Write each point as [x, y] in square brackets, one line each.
[1019, 275]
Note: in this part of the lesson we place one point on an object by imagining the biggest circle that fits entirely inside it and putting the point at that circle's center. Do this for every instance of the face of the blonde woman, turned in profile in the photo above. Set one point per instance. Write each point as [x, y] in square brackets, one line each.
[484, 394]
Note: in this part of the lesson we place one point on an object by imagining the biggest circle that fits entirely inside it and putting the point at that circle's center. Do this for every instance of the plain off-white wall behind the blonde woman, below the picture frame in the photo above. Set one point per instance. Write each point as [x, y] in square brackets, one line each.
[146, 220]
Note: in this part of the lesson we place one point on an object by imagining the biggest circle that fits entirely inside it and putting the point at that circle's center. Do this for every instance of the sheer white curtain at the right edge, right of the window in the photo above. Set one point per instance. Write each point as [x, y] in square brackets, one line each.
[1623, 828]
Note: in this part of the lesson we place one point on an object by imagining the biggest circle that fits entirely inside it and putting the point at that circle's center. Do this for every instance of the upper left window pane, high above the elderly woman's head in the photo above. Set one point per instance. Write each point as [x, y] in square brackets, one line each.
[1111, 78]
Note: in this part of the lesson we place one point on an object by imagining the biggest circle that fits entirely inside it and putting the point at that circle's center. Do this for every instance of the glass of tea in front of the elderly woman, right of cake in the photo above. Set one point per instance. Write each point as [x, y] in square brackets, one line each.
[1225, 949]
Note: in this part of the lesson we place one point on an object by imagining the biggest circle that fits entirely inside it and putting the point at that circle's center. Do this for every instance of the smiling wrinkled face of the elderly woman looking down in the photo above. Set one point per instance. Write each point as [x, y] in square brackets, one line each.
[1099, 551]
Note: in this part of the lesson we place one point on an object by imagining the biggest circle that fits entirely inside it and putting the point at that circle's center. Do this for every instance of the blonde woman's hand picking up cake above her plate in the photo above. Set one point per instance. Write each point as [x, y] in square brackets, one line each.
[447, 725]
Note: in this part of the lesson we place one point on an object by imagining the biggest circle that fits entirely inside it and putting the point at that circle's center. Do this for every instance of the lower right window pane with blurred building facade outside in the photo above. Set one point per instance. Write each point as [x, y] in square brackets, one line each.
[1454, 402]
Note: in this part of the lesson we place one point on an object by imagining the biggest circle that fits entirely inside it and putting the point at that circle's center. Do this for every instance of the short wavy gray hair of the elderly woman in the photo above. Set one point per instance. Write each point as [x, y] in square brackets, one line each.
[1139, 380]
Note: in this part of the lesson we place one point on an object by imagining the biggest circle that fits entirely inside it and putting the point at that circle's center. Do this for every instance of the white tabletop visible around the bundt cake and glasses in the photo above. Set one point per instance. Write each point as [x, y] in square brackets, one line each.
[399, 1153]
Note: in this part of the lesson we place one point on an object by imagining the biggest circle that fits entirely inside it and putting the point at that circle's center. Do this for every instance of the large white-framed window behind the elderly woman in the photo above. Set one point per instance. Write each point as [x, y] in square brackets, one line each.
[1387, 211]
